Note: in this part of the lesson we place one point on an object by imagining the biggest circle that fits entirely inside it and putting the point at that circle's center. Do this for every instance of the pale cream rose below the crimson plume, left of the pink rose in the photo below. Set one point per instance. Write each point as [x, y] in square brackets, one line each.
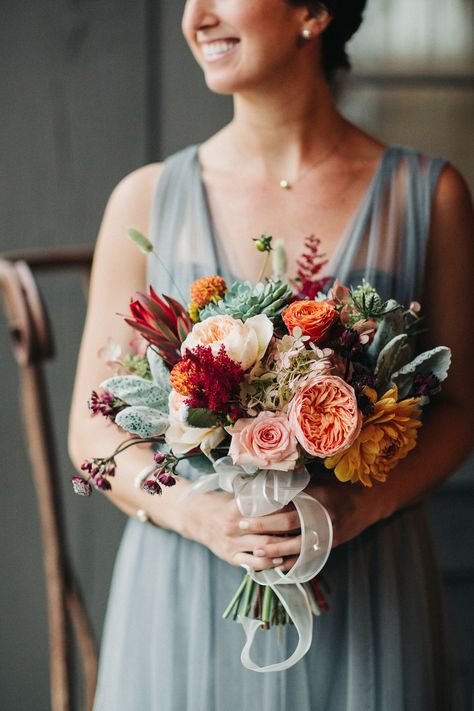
[182, 438]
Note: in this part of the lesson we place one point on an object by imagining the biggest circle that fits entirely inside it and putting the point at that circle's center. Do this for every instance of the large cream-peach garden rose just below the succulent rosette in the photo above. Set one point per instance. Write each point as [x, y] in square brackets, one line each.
[245, 343]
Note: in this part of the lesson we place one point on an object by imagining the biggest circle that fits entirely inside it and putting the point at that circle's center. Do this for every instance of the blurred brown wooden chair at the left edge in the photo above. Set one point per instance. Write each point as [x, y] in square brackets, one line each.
[32, 343]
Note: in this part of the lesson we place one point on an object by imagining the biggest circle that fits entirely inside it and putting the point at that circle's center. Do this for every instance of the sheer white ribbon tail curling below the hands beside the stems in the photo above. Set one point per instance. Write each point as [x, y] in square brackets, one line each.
[295, 601]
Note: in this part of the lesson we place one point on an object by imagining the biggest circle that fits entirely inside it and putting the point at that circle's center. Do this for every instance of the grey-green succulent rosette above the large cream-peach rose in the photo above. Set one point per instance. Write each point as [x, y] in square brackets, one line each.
[244, 300]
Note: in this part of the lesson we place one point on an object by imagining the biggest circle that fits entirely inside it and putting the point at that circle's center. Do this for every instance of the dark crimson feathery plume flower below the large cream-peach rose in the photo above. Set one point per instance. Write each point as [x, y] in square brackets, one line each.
[214, 383]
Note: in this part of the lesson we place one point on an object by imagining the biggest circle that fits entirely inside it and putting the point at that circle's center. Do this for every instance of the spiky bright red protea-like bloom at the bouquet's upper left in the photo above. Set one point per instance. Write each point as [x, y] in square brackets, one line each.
[163, 322]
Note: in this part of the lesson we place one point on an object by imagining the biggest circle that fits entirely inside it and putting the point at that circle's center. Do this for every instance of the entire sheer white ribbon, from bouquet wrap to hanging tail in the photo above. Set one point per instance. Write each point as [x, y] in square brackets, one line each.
[261, 492]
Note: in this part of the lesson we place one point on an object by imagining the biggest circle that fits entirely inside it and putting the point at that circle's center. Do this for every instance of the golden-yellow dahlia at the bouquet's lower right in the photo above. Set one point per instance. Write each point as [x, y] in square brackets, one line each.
[387, 436]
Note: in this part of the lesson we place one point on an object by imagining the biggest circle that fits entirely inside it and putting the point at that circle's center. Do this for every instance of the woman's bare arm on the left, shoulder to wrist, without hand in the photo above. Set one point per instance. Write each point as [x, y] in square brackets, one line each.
[119, 270]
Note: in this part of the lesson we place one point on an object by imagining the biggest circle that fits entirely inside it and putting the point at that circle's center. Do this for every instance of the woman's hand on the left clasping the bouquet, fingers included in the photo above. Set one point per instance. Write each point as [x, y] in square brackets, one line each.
[259, 542]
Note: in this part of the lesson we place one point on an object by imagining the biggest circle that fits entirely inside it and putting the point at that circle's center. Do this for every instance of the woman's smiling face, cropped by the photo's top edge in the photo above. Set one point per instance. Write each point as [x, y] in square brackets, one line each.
[242, 44]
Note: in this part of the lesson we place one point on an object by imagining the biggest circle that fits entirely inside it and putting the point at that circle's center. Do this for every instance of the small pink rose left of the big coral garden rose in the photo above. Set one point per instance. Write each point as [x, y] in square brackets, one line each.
[265, 441]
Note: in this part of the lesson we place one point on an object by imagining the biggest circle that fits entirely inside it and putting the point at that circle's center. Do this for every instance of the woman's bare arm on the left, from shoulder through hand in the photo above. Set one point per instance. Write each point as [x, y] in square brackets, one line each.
[119, 270]
